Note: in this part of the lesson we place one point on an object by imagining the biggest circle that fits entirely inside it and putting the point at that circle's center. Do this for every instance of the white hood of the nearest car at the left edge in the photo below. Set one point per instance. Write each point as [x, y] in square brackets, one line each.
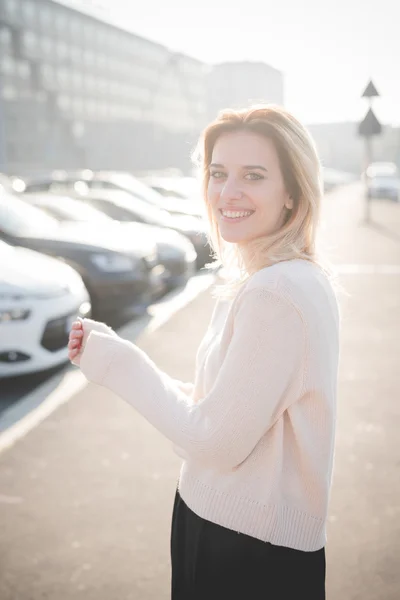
[26, 272]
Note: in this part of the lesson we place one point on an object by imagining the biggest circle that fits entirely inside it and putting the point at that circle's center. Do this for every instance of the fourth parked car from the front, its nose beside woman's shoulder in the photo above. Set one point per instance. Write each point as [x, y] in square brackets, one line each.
[125, 207]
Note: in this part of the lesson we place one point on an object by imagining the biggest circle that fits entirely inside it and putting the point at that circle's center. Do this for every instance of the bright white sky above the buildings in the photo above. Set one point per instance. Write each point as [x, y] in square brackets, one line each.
[327, 50]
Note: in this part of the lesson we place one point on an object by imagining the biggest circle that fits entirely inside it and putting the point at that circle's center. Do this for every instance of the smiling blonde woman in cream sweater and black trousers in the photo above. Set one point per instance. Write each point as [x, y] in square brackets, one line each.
[256, 430]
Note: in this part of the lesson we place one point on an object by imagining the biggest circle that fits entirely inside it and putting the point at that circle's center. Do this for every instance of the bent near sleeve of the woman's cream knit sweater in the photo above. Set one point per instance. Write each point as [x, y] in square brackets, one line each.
[257, 381]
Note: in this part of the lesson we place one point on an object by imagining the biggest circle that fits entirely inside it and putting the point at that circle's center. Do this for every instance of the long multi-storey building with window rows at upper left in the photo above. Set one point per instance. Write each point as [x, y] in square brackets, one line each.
[77, 91]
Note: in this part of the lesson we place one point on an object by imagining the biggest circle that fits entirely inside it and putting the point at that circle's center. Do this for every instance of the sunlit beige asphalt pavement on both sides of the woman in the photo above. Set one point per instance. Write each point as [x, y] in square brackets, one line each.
[86, 496]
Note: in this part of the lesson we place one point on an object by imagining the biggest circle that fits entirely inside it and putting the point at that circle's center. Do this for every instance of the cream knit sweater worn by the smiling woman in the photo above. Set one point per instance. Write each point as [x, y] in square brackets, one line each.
[256, 431]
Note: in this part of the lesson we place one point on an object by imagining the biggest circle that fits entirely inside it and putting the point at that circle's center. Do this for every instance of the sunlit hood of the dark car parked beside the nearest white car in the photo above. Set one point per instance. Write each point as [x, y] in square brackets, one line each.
[110, 237]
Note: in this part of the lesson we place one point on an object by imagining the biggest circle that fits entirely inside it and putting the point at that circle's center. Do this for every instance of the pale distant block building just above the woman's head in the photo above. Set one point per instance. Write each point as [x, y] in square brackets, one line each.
[239, 84]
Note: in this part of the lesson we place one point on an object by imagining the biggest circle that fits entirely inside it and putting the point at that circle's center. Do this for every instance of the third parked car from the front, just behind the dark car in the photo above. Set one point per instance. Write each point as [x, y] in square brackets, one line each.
[175, 252]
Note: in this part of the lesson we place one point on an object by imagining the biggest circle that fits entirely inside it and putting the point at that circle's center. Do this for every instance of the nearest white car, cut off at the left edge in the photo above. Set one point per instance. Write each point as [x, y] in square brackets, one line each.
[39, 298]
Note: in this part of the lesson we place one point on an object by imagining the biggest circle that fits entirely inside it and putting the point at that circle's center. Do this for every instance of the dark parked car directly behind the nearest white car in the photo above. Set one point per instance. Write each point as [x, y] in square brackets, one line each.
[118, 273]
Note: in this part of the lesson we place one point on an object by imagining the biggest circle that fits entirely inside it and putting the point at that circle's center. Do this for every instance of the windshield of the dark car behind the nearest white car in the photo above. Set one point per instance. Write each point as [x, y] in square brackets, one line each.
[19, 218]
